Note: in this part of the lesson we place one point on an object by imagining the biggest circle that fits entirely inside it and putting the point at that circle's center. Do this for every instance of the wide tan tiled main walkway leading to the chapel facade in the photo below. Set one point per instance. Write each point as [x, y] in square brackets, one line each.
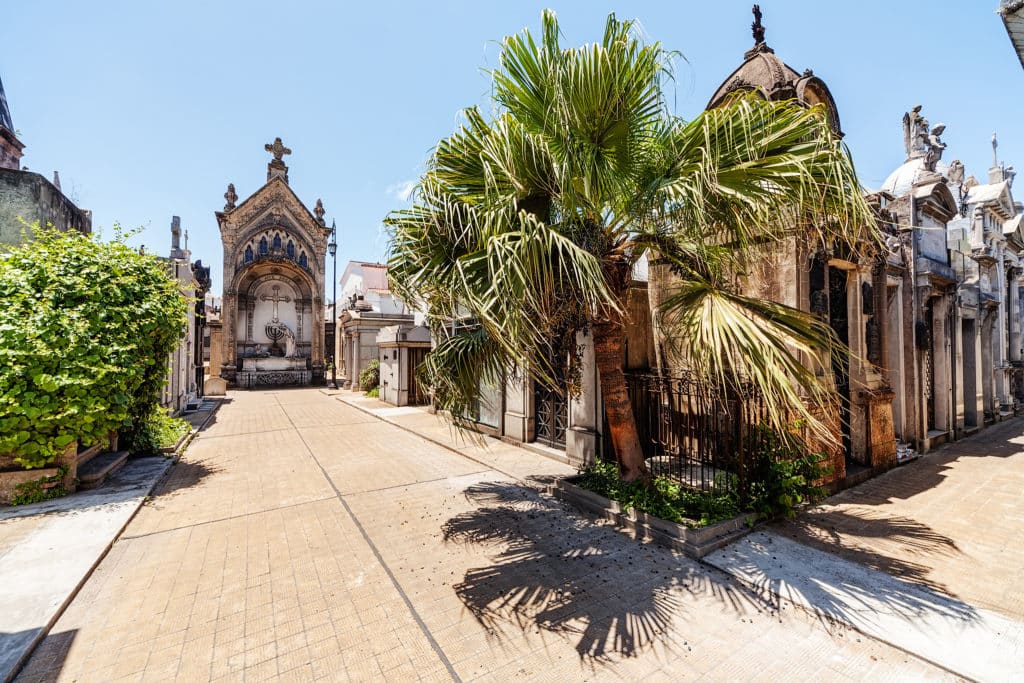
[304, 539]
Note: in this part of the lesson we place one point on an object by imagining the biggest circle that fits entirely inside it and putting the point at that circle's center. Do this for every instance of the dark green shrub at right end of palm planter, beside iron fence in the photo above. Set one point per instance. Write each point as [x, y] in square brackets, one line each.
[783, 475]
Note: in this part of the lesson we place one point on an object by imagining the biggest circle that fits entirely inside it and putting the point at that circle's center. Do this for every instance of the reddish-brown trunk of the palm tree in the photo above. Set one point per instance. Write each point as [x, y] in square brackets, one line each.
[609, 349]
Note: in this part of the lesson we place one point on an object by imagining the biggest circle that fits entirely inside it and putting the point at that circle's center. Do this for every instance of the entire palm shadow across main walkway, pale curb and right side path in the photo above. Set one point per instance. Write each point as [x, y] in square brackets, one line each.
[560, 572]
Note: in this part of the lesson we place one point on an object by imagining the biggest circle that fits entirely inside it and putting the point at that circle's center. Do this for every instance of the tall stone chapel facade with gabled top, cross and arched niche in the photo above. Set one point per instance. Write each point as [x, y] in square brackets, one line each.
[273, 308]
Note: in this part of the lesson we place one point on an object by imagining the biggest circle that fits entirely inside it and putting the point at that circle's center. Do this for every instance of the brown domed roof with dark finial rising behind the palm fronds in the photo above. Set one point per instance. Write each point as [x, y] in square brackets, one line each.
[775, 80]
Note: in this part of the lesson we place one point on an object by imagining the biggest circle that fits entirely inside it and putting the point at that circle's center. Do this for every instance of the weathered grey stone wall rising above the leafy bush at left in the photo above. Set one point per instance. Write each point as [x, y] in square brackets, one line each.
[31, 197]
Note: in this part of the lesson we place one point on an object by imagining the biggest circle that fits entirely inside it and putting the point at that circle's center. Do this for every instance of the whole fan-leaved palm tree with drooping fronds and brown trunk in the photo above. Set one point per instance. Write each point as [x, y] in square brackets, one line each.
[526, 228]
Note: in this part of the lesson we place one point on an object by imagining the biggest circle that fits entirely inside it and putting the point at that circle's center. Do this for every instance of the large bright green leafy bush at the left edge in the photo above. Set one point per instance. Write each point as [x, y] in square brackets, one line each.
[86, 332]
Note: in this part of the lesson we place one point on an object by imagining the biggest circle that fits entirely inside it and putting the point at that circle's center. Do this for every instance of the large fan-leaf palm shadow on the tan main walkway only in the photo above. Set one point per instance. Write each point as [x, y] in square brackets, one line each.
[564, 574]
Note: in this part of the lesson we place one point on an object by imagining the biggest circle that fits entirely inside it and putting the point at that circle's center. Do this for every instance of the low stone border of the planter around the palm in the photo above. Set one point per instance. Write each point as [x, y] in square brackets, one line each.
[694, 542]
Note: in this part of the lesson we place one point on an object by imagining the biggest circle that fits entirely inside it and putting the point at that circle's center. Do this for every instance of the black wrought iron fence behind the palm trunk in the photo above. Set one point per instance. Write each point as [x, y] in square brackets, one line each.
[695, 434]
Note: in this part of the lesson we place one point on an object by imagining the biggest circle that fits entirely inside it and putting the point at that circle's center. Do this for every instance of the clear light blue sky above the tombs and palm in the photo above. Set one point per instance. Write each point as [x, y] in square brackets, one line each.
[150, 109]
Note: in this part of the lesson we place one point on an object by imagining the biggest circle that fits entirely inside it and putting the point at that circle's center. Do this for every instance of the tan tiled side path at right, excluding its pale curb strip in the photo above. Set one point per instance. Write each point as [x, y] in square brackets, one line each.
[952, 522]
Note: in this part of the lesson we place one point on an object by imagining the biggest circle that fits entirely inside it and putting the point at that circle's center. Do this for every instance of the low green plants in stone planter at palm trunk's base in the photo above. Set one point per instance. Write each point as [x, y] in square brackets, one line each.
[664, 498]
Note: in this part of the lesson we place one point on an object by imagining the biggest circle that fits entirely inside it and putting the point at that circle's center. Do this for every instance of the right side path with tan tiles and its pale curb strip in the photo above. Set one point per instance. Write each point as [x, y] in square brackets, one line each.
[925, 558]
